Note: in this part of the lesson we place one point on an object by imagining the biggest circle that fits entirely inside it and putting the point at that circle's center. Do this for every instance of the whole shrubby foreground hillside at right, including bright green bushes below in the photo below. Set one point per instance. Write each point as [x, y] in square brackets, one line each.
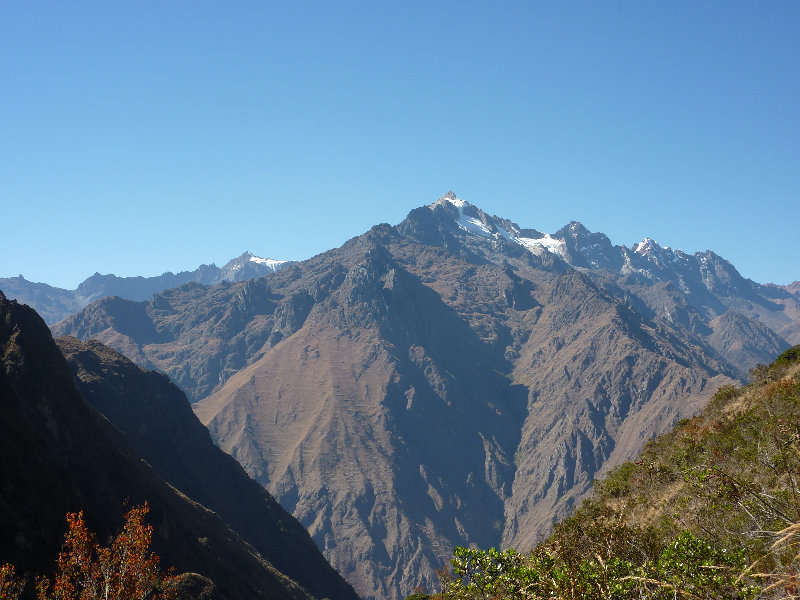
[710, 509]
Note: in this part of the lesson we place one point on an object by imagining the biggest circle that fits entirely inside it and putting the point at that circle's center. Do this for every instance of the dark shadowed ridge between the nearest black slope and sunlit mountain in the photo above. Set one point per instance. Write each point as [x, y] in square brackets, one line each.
[157, 421]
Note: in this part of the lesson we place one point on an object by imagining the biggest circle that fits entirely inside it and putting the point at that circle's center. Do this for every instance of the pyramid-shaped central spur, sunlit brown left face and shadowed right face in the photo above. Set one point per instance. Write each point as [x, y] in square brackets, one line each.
[385, 442]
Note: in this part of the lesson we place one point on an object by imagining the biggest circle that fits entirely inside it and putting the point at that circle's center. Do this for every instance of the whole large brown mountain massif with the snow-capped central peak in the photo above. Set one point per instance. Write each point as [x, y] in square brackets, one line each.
[452, 380]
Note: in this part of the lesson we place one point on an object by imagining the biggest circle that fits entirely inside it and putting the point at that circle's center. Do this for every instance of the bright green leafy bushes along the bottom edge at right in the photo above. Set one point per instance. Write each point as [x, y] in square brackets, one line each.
[688, 567]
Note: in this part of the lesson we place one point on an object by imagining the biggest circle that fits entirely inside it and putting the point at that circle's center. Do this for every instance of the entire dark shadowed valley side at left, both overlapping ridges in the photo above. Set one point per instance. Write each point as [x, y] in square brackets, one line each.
[61, 455]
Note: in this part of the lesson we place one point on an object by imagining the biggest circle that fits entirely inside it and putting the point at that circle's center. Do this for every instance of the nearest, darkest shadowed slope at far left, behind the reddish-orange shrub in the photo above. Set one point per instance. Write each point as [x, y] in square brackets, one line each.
[61, 455]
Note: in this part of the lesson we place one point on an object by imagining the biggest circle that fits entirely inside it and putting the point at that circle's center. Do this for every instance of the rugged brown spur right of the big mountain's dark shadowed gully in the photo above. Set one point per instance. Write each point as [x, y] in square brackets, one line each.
[603, 381]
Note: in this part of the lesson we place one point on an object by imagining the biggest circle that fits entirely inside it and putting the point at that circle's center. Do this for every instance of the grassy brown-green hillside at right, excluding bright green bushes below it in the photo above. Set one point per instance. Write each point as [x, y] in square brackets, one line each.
[727, 476]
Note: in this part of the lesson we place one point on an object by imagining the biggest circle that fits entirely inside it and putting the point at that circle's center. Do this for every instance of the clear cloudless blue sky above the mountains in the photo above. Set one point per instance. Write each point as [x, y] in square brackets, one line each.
[140, 137]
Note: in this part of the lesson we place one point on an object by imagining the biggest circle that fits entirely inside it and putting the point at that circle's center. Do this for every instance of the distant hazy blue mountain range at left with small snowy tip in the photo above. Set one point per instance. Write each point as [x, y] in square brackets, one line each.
[54, 304]
